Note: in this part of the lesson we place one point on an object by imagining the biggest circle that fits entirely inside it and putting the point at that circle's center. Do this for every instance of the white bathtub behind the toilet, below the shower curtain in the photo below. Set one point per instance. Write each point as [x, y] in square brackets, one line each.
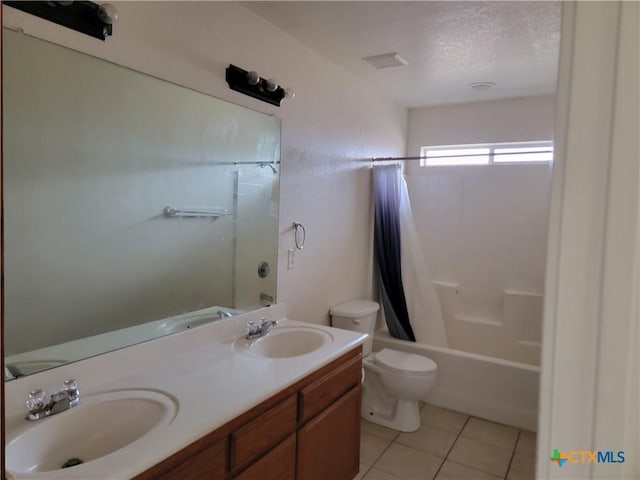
[500, 390]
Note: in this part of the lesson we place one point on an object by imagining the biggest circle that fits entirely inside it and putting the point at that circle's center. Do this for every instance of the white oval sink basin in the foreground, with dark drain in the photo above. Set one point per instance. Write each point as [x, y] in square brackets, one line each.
[100, 425]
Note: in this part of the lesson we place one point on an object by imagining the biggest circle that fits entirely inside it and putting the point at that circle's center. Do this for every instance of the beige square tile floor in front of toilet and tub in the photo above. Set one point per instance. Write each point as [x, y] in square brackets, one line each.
[448, 446]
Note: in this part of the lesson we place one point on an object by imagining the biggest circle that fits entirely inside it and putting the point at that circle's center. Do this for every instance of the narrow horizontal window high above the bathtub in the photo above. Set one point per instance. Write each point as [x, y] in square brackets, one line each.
[499, 153]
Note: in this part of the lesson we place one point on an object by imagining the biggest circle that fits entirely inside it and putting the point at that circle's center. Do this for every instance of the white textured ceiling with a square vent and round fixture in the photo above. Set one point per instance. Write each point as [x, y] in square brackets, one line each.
[448, 44]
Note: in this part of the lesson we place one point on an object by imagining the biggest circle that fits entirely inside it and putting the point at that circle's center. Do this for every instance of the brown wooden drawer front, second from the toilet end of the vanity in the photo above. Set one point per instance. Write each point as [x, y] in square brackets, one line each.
[261, 434]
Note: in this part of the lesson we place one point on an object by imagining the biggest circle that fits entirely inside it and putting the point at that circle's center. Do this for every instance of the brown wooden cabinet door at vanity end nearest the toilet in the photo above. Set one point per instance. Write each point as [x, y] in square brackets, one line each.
[329, 445]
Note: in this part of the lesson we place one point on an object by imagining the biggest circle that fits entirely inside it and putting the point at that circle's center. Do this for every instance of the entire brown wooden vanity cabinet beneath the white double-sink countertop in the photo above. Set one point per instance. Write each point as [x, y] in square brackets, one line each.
[309, 431]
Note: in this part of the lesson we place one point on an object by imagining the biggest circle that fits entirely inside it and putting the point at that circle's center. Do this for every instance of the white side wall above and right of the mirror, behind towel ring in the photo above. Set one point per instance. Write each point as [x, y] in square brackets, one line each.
[332, 126]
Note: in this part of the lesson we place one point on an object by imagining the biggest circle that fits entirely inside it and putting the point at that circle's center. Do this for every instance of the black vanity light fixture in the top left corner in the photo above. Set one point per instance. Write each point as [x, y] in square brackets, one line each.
[82, 16]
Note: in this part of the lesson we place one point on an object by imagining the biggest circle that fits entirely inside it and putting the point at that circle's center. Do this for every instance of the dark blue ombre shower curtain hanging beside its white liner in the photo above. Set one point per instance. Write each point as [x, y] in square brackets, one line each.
[387, 196]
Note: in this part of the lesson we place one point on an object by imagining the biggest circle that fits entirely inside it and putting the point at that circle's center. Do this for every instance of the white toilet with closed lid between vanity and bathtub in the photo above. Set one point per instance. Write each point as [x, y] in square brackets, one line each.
[395, 381]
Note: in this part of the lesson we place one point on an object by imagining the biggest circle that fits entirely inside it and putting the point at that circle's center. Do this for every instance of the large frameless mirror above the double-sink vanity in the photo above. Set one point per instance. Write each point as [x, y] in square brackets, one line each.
[133, 207]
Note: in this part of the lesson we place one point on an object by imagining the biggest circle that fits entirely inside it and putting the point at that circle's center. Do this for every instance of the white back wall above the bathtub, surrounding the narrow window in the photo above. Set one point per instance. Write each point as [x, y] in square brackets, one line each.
[483, 228]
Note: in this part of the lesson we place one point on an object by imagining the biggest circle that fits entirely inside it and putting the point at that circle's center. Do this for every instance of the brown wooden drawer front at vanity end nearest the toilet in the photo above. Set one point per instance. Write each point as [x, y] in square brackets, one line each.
[323, 392]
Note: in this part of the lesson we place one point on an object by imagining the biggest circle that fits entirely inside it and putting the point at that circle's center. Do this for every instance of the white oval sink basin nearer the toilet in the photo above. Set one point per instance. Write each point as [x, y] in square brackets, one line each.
[285, 342]
